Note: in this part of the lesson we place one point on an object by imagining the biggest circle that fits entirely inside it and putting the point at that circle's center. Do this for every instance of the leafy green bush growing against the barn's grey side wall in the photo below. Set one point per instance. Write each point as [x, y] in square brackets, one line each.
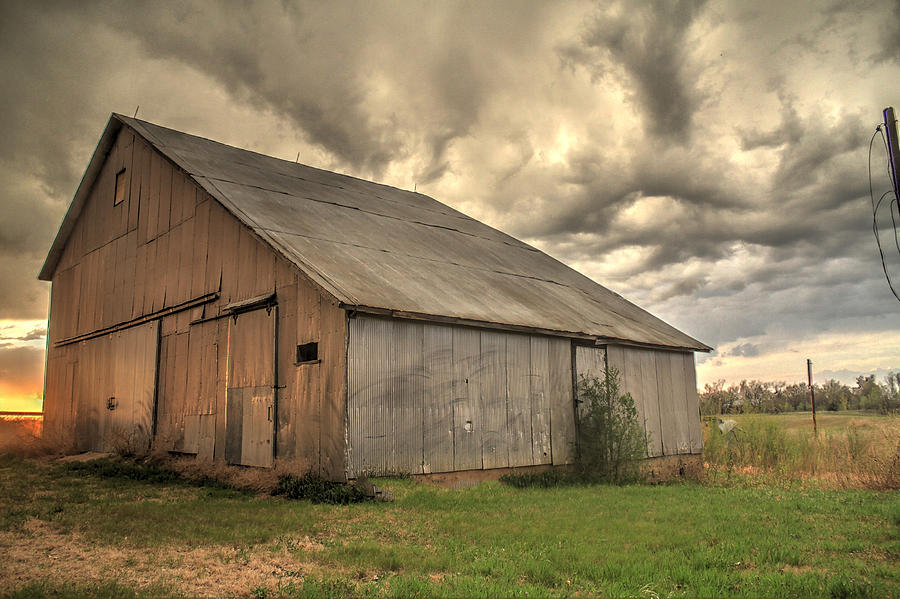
[611, 441]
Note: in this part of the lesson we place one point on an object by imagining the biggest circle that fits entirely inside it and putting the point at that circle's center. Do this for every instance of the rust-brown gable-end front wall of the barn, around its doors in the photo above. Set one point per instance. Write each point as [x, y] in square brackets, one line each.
[170, 244]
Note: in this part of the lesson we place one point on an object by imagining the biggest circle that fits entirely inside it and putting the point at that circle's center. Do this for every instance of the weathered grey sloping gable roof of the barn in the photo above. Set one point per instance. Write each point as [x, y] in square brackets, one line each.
[378, 248]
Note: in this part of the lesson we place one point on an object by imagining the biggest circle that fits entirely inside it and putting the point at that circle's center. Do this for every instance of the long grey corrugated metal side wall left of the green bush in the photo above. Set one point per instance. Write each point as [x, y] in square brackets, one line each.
[428, 398]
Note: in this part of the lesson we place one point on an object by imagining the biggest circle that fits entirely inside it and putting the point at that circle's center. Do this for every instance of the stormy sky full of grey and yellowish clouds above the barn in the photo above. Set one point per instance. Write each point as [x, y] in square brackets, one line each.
[707, 160]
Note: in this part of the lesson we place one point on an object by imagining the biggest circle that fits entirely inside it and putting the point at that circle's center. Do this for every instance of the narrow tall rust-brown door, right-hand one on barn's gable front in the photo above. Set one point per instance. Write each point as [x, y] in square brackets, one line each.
[250, 388]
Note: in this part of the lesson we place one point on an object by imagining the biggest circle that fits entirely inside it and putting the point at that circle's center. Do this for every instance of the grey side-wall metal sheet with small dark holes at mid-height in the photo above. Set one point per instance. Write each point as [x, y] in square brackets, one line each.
[467, 424]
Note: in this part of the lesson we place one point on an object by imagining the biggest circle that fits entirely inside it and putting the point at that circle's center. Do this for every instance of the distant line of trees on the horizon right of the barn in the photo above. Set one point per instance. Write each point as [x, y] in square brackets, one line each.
[775, 397]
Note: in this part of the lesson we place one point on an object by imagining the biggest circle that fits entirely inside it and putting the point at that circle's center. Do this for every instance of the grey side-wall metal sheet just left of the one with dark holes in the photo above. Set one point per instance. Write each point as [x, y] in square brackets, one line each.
[438, 399]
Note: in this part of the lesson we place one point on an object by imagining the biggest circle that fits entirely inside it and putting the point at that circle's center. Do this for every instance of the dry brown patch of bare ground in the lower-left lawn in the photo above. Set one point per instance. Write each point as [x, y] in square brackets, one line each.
[192, 571]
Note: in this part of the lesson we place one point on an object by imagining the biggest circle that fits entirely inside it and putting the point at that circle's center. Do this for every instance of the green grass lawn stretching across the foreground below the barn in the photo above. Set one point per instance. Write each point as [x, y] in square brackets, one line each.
[675, 540]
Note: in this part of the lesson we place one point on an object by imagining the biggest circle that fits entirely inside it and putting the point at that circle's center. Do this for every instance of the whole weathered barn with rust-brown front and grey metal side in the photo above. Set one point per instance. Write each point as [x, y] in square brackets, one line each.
[213, 301]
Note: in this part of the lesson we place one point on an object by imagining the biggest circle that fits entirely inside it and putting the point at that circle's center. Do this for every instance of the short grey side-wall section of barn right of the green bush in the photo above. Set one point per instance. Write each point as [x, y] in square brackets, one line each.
[664, 387]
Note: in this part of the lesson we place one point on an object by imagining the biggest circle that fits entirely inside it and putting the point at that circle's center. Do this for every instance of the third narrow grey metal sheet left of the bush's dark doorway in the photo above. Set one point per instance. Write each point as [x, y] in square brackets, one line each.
[518, 375]
